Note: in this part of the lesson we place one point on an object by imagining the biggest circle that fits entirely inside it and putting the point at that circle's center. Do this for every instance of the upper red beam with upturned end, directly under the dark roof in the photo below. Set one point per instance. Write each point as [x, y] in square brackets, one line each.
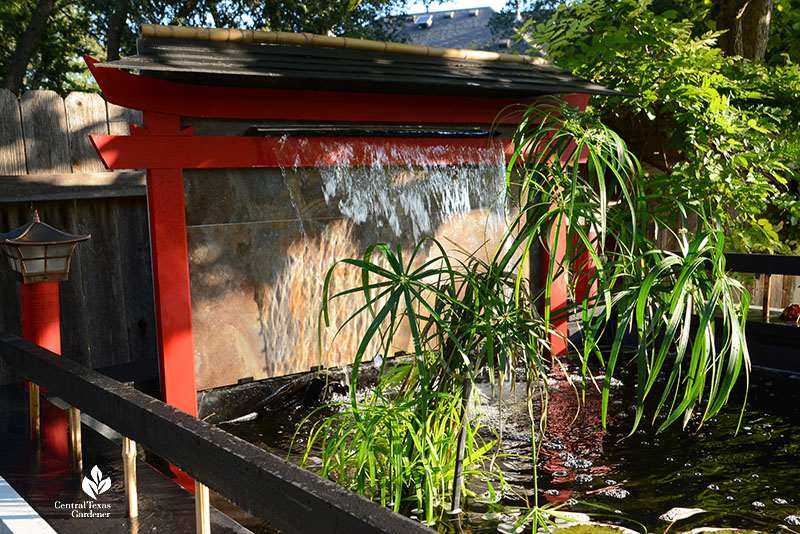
[188, 100]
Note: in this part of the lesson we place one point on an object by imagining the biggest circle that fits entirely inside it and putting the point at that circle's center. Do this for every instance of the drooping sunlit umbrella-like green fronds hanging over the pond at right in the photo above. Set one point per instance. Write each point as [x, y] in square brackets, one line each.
[667, 301]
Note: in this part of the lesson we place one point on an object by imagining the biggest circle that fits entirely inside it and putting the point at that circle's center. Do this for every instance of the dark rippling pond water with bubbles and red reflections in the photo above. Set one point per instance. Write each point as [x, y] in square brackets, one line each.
[749, 480]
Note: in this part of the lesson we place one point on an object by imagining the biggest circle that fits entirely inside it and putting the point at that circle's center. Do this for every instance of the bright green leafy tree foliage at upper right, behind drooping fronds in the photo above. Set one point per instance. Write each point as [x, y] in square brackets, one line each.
[718, 132]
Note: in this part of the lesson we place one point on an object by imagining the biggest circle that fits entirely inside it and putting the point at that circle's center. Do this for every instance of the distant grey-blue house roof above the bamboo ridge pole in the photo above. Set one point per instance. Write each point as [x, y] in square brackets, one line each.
[462, 30]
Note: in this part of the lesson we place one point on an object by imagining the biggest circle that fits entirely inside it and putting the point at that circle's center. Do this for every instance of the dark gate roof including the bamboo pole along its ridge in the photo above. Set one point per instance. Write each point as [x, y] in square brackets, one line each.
[282, 60]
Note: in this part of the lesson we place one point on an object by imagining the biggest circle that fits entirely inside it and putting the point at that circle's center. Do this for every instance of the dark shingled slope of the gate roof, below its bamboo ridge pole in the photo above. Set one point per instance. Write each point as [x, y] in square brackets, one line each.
[208, 62]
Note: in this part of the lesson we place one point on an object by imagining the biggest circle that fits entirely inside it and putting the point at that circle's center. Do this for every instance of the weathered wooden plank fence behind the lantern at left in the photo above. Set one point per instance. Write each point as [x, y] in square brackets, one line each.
[47, 162]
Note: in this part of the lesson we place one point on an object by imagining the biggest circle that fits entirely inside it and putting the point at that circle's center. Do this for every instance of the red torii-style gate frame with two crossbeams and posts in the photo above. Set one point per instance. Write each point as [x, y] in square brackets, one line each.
[165, 150]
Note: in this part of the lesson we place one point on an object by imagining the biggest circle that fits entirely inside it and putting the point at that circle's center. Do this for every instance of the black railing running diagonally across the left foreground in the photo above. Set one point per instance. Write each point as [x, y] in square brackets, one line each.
[276, 491]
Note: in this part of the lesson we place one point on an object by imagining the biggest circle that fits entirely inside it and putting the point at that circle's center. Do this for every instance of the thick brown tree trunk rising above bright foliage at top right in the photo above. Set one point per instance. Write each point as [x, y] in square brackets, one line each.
[747, 24]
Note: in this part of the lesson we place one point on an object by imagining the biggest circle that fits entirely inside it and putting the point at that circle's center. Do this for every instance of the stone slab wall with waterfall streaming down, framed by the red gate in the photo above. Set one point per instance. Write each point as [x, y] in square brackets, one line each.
[262, 240]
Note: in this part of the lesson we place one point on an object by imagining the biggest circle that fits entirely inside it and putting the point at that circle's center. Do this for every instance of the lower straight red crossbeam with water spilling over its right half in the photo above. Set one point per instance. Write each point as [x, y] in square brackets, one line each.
[208, 152]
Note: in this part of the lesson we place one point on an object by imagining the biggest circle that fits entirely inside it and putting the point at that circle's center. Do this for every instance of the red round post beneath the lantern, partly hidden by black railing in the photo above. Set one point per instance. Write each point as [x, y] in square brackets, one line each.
[41, 324]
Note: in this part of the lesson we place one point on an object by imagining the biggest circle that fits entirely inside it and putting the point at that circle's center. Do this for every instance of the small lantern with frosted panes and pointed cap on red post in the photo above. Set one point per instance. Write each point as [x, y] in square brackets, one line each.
[37, 252]
